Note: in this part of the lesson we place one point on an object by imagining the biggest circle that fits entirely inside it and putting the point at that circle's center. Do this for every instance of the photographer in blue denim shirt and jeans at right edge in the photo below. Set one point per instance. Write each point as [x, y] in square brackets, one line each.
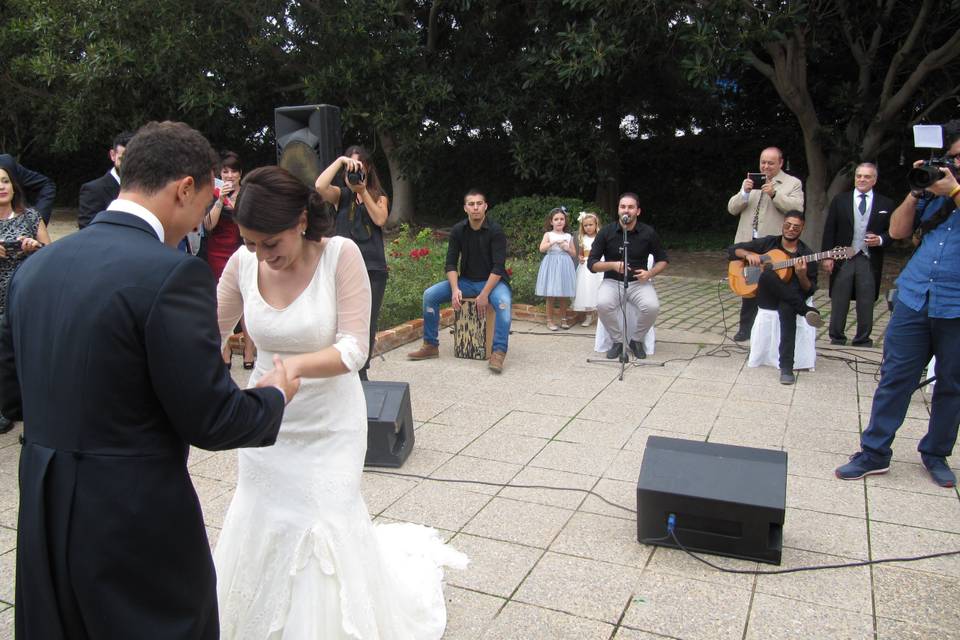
[925, 322]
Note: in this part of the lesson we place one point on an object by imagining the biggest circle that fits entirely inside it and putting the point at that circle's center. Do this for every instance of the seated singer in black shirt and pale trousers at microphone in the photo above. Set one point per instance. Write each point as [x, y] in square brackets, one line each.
[606, 256]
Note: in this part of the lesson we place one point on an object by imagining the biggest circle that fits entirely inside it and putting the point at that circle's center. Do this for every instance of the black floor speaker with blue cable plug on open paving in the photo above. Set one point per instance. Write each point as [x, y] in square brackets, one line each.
[727, 500]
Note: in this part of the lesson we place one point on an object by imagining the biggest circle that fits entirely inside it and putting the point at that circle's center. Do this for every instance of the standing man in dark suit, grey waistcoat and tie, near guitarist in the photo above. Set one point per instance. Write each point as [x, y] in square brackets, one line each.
[861, 219]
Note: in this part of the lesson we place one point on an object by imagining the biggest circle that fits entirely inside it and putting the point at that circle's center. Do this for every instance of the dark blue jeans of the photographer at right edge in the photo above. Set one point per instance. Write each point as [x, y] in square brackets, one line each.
[911, 338]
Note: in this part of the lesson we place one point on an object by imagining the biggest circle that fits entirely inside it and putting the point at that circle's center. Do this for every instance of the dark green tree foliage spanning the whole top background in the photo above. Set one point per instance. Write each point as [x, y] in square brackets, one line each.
[533, 96]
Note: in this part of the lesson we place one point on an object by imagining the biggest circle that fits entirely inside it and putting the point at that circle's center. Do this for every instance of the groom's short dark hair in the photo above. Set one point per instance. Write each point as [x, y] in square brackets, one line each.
[161, 152]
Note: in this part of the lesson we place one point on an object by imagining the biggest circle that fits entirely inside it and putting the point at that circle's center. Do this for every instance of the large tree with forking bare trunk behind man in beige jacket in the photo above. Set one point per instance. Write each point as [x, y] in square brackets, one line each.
[853, 73]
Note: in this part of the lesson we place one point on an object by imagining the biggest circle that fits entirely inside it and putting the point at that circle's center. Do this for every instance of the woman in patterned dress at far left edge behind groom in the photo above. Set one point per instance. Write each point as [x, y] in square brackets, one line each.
[21, 233]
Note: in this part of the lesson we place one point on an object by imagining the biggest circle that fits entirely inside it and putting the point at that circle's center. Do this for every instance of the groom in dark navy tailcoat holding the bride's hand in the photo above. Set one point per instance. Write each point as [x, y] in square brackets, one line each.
[111, 540]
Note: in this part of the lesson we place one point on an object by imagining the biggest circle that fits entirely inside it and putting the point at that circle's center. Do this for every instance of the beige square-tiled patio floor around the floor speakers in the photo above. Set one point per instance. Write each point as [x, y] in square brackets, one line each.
[563, 564]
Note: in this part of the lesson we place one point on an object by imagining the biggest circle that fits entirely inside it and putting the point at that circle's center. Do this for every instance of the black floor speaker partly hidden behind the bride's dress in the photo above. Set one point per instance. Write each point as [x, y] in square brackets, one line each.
[389, 423]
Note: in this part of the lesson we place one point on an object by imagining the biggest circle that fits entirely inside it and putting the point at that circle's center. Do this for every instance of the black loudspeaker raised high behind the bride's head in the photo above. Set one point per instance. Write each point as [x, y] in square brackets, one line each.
[308, 139]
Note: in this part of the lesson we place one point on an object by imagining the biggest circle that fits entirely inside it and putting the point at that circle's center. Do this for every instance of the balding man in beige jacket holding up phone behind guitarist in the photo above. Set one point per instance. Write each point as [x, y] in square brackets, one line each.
[761, 202]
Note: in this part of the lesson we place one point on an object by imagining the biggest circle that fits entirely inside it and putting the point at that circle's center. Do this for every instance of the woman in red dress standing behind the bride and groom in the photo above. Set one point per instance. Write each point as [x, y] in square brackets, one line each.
[223, 236]
